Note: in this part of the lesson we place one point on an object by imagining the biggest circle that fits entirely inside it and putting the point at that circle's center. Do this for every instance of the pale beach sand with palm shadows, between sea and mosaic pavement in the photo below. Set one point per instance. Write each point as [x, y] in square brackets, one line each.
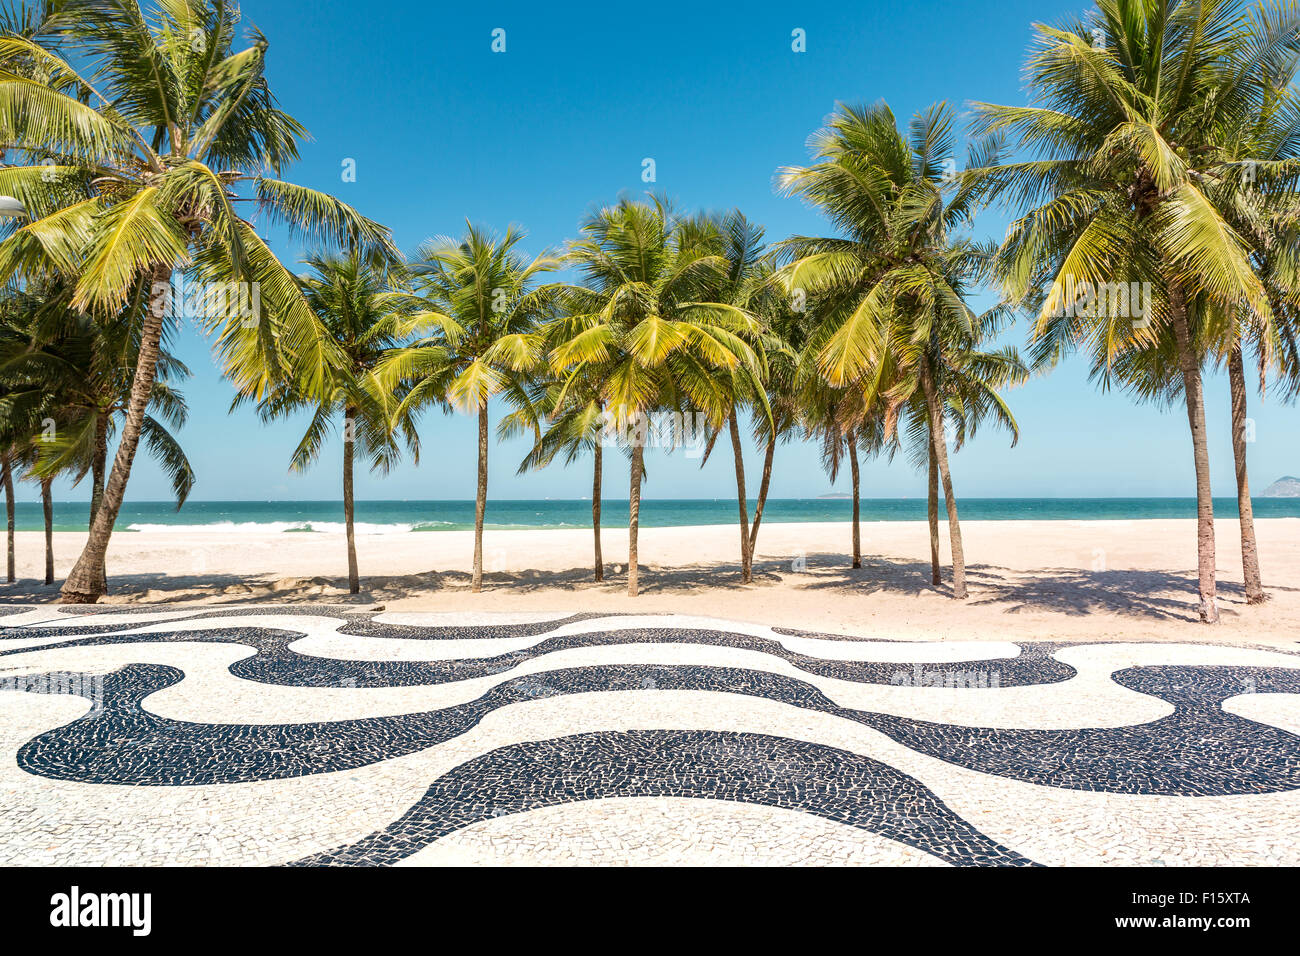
[1051, 581]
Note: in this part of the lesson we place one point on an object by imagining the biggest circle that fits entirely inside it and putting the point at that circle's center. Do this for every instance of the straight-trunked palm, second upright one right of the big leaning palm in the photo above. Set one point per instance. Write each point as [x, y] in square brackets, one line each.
[482, 313]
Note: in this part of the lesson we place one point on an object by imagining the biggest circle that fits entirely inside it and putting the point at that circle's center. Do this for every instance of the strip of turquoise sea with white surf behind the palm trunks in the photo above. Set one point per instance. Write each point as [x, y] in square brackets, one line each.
[387, 517]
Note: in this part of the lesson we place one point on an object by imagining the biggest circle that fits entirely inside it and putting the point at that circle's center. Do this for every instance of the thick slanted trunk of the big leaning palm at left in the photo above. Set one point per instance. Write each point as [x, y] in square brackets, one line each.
[86, 583]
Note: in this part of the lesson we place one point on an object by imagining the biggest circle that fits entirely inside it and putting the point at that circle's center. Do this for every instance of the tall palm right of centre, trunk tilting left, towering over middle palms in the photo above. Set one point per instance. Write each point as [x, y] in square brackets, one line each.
[889, 296]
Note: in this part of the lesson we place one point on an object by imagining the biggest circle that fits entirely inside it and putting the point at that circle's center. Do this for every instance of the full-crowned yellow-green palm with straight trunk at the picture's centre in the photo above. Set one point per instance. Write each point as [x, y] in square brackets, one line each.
[645, 331]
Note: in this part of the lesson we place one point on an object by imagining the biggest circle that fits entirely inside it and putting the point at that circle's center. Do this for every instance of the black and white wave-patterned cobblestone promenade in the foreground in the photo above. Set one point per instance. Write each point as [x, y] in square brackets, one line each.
[330, 736]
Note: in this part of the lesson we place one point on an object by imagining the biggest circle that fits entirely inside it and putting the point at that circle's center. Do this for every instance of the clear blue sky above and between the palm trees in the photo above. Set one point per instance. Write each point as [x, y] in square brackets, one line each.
[441, 129]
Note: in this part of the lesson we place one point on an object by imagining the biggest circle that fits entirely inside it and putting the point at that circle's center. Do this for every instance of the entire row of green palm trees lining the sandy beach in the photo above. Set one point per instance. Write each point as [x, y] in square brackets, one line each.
[1152, 179]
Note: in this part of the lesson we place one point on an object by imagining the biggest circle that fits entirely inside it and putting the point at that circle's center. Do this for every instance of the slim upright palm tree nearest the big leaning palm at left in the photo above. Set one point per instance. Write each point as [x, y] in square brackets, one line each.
[366, 319]
